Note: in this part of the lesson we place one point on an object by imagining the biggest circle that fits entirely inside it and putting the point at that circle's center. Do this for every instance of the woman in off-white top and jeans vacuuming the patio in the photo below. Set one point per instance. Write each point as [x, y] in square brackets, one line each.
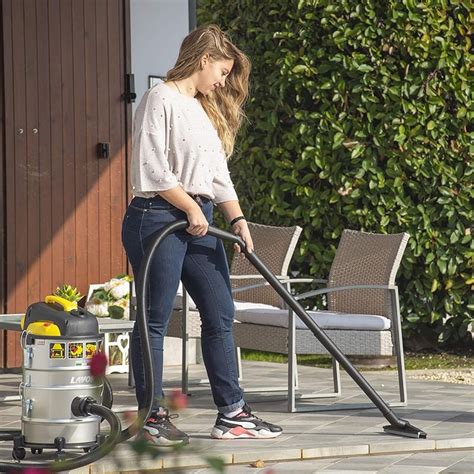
[184, 131]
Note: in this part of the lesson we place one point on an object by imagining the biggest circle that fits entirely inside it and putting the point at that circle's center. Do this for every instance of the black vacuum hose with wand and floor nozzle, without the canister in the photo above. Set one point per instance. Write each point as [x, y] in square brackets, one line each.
[398, 426]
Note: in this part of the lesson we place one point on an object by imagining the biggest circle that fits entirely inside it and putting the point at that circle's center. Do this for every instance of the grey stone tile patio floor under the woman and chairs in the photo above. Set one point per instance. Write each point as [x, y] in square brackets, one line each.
[330, 440]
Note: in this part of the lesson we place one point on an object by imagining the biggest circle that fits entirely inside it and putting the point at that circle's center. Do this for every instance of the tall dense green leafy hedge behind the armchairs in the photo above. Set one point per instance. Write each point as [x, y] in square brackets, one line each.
[359, 118]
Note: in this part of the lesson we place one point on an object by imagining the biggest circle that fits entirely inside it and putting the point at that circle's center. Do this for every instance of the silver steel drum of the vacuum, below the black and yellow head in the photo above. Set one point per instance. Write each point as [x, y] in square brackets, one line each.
[55, 371]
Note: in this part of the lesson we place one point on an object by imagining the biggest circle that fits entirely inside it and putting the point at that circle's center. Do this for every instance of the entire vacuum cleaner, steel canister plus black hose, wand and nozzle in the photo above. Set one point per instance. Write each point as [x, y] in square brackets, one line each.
[63, 405]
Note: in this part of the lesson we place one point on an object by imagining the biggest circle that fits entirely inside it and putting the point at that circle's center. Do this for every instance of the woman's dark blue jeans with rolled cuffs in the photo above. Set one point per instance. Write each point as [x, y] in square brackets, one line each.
[201, 264]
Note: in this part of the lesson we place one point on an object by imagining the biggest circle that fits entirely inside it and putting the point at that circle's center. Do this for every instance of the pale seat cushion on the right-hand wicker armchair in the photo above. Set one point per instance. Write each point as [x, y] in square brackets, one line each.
[272, 316]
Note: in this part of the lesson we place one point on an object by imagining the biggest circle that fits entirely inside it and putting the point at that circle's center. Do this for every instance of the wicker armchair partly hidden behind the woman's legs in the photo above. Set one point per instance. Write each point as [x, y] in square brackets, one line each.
[275, 247]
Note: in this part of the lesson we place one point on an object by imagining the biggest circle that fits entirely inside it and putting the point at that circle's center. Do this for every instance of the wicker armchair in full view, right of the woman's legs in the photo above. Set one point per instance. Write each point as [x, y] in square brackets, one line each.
[363, 316]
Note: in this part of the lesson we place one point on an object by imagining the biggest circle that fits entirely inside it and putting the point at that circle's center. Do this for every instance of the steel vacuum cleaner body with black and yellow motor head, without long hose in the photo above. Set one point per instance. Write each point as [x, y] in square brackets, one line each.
[60, 398]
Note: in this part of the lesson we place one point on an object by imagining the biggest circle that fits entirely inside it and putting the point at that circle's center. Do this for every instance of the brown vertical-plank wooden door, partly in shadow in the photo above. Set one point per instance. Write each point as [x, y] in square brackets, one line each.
[64, 66]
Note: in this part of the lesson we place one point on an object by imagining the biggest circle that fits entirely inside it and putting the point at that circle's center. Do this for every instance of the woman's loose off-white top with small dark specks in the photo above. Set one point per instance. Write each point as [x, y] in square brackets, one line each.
[174, 143]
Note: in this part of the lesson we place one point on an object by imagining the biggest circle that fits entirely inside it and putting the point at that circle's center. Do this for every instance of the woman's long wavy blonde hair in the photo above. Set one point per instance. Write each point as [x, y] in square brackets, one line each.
[224, 106]
